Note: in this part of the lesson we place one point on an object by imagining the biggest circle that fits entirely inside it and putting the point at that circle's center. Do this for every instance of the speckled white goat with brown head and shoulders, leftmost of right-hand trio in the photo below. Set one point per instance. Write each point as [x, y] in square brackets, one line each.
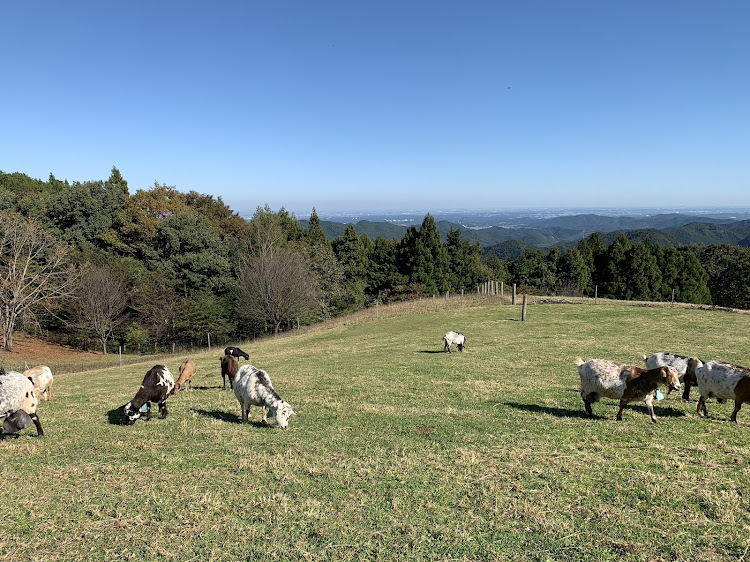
[601, 377]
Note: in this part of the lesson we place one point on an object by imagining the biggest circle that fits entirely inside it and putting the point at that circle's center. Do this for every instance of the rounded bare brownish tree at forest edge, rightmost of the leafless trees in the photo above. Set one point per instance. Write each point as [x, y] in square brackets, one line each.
[276, 284]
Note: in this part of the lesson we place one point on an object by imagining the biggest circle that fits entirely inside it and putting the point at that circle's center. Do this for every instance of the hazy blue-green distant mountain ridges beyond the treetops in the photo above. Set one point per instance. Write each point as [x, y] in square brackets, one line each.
[668, 230]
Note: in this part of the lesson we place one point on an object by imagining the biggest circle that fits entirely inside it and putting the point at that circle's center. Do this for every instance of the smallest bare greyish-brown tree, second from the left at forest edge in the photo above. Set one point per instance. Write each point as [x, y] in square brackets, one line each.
[101, 303]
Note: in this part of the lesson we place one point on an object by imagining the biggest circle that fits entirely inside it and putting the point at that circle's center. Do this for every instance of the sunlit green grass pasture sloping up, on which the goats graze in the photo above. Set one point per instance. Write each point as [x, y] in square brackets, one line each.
[399, 451]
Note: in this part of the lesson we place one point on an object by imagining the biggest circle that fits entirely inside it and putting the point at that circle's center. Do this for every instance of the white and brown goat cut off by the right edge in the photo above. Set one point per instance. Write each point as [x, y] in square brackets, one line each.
[722, 380]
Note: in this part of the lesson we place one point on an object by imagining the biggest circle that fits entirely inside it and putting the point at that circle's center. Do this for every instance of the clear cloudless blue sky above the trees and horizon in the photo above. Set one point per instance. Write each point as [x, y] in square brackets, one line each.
[355, 105]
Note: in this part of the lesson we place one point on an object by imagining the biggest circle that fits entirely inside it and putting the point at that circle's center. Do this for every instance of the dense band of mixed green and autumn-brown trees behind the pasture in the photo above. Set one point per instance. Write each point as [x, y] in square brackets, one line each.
[88, 264]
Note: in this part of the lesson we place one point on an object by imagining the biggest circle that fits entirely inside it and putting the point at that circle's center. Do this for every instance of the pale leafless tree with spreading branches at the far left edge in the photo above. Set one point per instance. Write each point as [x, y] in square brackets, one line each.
[35, 272]
